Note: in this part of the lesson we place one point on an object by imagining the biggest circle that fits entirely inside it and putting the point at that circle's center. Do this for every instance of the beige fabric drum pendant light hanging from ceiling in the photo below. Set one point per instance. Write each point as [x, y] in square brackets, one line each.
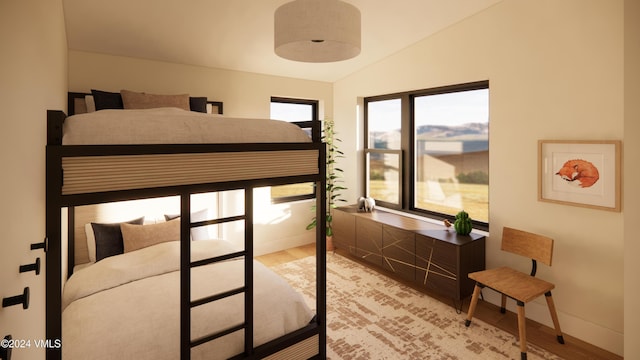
[317, 31]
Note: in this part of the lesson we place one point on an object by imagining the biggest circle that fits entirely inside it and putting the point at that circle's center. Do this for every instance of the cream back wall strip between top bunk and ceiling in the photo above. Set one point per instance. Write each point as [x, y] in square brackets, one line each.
[244, 94]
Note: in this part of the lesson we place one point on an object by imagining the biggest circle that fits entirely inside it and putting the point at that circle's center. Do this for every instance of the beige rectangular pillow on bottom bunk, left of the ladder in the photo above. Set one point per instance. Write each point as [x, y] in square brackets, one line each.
[136, 237]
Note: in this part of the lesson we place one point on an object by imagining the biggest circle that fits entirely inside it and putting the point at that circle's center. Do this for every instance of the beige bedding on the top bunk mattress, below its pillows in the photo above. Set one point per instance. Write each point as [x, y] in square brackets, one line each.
[173, 126]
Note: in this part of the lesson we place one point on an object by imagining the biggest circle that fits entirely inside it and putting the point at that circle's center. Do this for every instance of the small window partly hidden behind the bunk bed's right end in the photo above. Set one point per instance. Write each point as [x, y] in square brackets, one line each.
[302, 113]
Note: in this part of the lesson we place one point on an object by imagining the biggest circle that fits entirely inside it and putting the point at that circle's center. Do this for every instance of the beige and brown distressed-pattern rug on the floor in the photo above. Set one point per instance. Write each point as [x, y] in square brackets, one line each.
[371, 316]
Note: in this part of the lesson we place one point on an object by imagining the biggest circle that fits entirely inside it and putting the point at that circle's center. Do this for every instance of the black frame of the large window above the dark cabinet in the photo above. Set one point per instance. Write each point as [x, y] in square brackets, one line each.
[407, 187]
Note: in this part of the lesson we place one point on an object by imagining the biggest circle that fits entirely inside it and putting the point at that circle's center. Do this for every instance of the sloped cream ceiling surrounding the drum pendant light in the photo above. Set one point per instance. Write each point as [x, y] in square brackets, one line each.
[238, 34]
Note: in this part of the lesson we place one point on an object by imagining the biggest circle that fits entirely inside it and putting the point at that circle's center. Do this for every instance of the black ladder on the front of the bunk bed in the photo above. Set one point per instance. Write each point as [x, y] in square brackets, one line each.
[186, 304]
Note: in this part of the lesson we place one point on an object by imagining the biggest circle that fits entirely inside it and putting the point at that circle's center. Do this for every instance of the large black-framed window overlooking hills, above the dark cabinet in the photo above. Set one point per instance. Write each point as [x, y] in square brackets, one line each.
[427, 151]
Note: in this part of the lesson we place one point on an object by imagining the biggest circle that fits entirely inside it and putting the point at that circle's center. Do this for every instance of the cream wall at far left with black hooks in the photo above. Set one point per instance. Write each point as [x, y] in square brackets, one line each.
[33, 78]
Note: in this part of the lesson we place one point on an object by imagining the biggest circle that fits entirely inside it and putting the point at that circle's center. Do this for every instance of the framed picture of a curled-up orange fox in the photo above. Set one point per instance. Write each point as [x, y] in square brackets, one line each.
[580, 173]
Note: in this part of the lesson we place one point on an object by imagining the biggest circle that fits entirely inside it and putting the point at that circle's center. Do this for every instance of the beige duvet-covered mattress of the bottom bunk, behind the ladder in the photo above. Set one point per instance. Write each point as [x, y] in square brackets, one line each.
[128, 306]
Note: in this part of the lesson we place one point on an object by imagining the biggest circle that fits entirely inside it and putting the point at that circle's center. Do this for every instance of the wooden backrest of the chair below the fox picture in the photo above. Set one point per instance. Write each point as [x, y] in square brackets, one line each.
[533, 246]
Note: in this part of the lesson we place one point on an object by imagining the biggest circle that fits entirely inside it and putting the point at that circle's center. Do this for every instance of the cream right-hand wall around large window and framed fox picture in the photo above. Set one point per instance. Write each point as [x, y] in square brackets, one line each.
[555, 72]
